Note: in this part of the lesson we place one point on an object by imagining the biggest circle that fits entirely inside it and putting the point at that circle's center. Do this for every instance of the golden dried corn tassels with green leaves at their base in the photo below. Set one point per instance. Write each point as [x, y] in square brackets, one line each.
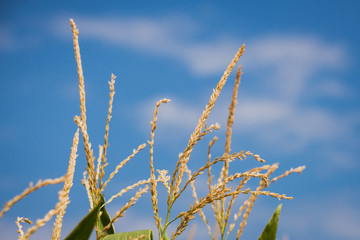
[221, 195]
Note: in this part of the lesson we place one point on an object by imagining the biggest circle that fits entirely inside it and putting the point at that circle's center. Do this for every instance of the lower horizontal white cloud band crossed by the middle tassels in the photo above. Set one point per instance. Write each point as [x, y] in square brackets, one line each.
[275, 122]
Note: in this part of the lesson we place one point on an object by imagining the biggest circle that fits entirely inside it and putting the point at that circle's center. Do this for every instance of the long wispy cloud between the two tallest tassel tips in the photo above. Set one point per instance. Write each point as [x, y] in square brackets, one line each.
[166, 36]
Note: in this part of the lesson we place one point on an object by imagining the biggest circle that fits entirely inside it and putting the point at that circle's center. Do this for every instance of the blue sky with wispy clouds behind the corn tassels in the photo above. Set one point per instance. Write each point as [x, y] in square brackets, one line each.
[298, 101]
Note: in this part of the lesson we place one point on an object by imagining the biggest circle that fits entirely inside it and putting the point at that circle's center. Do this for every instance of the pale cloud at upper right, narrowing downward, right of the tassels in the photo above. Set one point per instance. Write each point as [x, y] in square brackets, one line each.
[288, 63]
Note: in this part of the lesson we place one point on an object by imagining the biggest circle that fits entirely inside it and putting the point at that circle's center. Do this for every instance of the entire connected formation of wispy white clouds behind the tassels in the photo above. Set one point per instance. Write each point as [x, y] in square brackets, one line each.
[292, 74]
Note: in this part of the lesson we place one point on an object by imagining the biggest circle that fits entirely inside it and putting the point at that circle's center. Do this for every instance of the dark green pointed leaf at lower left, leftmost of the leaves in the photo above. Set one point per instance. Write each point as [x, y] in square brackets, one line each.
[84, 229]
